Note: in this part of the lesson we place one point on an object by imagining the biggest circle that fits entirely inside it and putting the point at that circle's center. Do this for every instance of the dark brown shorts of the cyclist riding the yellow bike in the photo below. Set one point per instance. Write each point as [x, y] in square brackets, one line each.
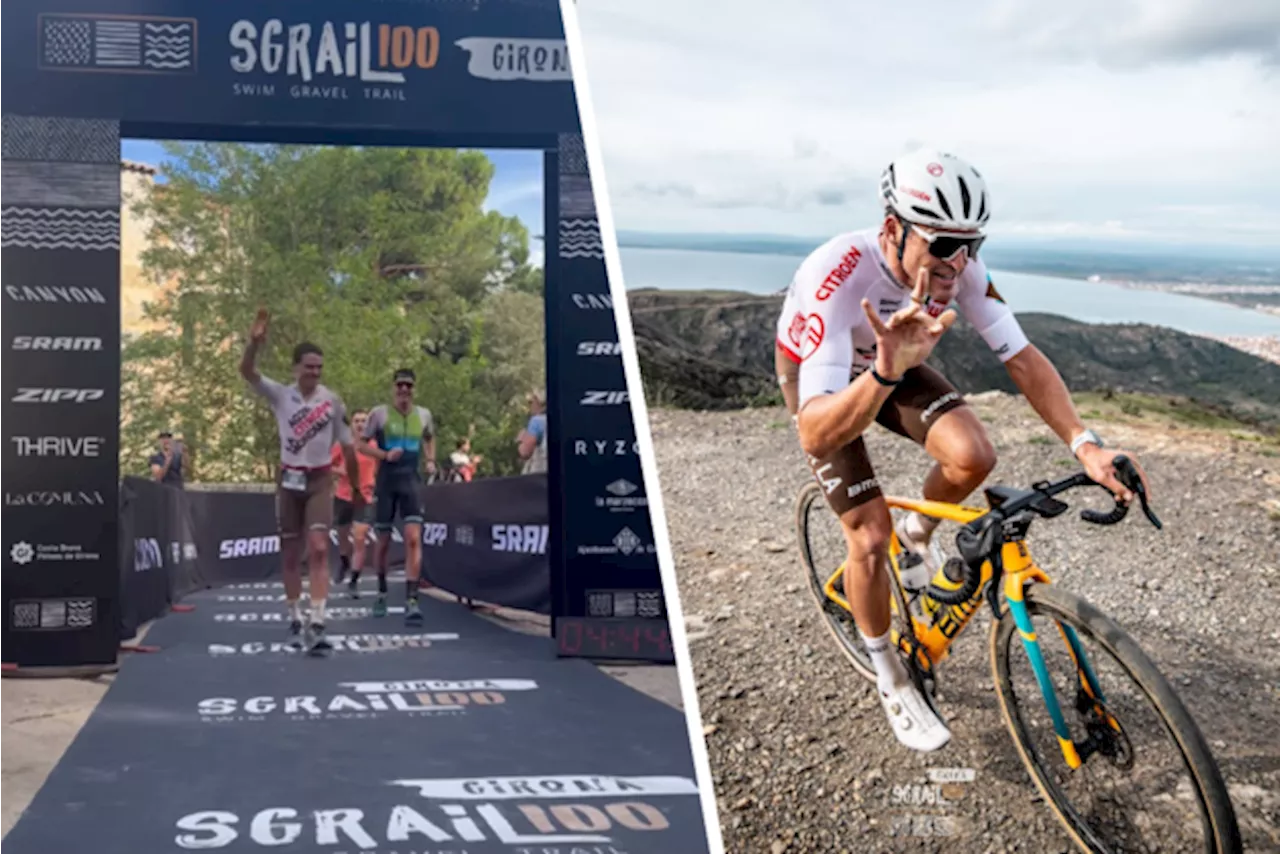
[847, 477]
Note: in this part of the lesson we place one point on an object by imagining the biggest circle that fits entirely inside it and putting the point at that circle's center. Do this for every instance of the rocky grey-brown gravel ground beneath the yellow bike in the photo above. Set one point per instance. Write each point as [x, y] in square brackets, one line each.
[802, 756]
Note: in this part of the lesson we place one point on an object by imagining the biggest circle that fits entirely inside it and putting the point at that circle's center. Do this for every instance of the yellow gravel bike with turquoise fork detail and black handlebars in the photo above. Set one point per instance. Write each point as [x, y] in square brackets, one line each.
[1095, 755]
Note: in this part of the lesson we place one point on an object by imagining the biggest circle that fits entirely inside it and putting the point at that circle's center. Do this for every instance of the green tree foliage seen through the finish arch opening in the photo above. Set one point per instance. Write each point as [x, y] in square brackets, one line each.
[385, 258]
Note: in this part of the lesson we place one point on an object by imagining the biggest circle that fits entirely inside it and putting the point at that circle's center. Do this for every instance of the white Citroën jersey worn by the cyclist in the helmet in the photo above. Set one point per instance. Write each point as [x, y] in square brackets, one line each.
[822, 326]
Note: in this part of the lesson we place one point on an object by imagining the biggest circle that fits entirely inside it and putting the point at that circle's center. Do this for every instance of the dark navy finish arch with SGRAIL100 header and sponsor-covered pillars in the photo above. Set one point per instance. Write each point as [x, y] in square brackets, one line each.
[83, 75]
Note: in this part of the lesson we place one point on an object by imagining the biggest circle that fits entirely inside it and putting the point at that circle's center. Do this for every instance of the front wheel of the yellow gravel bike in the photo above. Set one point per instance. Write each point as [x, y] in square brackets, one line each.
[1151, 783]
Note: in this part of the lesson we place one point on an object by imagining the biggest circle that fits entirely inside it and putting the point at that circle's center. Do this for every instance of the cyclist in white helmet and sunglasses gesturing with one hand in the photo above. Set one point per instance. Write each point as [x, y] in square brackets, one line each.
[852, 344]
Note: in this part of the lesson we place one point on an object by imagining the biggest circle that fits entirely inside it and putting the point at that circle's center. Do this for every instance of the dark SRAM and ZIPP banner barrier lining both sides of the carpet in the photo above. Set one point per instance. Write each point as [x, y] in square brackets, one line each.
[483, 541]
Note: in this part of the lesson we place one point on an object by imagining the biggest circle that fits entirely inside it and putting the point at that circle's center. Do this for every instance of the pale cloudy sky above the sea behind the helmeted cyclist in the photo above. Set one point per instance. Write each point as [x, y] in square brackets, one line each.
[1145, 120]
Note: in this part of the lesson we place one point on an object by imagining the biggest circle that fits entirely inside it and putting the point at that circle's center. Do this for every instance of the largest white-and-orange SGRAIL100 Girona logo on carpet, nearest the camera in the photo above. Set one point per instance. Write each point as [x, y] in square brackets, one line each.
[561, 815]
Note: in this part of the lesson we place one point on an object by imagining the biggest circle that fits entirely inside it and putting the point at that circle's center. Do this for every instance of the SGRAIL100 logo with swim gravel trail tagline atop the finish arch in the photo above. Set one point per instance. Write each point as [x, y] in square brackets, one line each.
[317, 61]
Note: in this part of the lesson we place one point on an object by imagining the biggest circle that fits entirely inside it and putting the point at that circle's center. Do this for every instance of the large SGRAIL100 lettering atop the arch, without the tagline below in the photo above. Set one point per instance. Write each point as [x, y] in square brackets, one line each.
[349, 52]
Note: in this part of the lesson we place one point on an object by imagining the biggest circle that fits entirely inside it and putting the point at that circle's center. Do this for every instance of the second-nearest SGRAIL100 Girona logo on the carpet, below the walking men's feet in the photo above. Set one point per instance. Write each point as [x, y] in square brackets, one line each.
[367, 701]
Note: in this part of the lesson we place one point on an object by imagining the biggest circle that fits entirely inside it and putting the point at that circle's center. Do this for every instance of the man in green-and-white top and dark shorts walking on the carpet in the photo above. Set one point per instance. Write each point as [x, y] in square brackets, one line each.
[405, 437]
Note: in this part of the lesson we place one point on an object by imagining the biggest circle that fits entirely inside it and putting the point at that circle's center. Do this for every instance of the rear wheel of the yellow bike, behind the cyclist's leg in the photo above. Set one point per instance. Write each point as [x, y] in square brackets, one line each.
[822, 551]
